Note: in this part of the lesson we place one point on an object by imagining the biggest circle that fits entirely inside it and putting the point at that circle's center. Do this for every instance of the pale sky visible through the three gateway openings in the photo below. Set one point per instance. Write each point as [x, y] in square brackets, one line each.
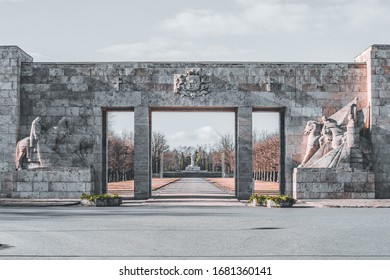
[195, 128]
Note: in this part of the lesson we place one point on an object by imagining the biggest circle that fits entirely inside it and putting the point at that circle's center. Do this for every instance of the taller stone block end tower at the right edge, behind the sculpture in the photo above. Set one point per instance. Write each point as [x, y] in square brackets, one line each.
[377, 58]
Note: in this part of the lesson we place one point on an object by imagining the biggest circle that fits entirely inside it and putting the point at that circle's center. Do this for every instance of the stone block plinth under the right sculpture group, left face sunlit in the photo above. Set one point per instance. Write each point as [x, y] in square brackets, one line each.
[328, 183]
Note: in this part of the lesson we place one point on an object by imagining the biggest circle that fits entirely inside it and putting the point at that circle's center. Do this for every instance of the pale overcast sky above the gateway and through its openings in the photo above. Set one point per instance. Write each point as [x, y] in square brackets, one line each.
[174, 30]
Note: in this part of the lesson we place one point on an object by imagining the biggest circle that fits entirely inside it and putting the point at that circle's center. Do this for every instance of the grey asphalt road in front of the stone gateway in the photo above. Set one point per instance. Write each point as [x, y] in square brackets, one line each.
[76, 232]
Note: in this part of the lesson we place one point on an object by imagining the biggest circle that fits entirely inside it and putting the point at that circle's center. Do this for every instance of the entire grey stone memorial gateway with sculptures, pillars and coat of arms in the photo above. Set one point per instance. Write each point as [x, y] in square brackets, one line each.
[334, 118]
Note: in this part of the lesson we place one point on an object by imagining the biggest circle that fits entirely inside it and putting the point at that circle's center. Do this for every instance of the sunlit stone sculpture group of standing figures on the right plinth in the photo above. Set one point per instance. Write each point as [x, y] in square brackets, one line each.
[338, 141]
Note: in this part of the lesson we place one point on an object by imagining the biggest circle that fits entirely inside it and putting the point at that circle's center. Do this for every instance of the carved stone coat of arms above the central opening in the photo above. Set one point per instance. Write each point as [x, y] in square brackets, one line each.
[192, 84]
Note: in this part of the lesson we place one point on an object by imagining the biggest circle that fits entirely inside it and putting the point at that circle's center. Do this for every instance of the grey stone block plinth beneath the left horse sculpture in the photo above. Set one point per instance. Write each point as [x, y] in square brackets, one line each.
[52, 183]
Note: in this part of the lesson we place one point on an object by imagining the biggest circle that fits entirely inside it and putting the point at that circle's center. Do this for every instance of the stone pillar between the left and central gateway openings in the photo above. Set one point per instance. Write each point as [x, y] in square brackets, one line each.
[142, 167]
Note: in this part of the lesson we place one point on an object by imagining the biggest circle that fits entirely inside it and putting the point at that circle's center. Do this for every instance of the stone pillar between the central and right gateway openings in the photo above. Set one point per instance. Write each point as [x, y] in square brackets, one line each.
[243, 178]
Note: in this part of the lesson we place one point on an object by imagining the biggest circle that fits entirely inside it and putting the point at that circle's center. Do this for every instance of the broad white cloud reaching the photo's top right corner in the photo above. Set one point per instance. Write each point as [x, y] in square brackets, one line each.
[281, 16]
